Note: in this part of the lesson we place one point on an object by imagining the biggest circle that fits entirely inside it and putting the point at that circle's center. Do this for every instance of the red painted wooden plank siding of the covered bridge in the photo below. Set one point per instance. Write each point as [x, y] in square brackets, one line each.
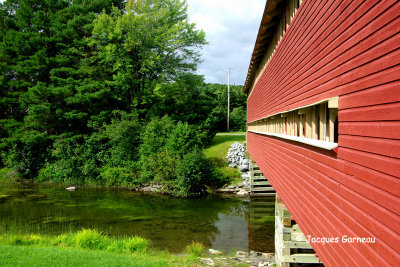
[349, 49]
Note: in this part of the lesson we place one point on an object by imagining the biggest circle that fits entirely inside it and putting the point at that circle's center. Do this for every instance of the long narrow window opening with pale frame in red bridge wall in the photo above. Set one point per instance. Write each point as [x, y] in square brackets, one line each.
[315, 124]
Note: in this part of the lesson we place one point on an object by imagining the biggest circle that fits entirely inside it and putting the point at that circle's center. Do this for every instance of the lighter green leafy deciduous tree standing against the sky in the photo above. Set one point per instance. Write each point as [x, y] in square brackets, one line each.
[149, 44]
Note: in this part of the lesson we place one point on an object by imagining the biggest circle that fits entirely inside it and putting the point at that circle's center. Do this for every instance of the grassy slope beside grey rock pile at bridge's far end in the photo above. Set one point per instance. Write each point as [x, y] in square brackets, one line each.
[217, 151]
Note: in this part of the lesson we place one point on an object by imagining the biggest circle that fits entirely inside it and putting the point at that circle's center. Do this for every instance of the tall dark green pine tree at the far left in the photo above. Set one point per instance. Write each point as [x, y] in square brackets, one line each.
[42, 43]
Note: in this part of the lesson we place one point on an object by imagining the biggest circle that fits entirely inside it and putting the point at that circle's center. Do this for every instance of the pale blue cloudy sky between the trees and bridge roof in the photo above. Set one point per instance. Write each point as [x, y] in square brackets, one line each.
[231, 28]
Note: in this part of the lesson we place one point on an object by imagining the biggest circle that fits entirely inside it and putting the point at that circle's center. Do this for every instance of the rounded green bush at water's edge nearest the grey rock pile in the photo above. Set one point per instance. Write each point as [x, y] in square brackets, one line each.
[194, 172]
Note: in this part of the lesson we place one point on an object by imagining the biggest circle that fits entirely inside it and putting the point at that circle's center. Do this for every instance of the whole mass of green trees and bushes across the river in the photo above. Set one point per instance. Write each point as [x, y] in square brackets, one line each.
[105, 92]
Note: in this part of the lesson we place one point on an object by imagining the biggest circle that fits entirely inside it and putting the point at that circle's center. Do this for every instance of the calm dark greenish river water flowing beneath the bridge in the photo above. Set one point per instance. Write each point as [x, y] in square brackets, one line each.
[219, 222]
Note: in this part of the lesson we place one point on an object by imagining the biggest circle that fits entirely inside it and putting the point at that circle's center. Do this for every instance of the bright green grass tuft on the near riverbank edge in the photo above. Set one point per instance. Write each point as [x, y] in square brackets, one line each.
[92, 239]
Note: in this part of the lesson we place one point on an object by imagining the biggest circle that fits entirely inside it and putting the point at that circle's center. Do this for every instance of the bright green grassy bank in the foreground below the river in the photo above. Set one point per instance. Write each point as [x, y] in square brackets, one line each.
[87, 248]
